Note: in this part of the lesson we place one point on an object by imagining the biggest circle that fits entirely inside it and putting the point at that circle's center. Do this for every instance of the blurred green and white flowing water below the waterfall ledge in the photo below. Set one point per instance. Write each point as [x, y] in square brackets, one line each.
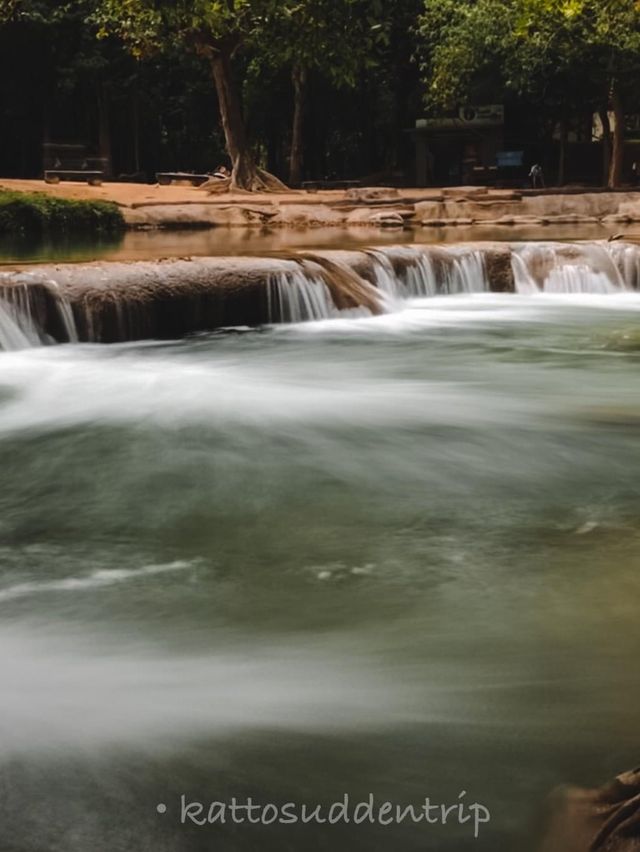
[393, 556]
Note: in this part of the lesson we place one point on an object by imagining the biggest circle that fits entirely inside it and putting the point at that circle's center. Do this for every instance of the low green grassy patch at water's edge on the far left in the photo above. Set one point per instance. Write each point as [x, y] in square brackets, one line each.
[37, 213]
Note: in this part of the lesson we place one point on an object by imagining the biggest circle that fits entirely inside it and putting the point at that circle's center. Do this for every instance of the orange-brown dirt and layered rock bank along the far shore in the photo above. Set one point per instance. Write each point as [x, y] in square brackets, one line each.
[149, 206]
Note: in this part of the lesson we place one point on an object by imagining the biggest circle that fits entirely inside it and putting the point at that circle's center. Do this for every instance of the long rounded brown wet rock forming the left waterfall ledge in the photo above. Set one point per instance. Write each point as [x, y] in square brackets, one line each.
[167, 299]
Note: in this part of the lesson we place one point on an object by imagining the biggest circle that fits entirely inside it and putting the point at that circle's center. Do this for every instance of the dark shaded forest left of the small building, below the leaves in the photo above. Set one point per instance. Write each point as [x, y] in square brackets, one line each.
[58, 82]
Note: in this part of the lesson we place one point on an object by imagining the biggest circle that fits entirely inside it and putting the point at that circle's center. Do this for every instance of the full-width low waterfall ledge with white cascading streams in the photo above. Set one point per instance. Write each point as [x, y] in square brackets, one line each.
[119, 302]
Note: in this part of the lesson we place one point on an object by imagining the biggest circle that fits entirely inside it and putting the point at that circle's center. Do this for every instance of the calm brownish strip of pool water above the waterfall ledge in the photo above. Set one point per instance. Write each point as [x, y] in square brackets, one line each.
[142, 245]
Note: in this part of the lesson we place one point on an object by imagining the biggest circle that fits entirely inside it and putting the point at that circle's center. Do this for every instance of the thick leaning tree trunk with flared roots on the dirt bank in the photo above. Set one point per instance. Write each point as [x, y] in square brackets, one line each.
[245, 174]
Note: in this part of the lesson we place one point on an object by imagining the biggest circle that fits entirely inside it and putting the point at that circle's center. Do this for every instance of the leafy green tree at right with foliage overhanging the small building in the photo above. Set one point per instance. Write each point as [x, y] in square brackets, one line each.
[558, 53]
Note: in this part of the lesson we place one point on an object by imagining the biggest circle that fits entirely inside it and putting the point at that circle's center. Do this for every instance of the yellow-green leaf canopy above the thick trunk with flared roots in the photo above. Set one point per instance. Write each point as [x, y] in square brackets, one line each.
[337, 36]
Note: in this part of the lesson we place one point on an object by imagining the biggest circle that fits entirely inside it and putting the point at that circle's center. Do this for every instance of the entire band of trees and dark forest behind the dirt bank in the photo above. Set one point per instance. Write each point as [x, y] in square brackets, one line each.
[324, 88]
